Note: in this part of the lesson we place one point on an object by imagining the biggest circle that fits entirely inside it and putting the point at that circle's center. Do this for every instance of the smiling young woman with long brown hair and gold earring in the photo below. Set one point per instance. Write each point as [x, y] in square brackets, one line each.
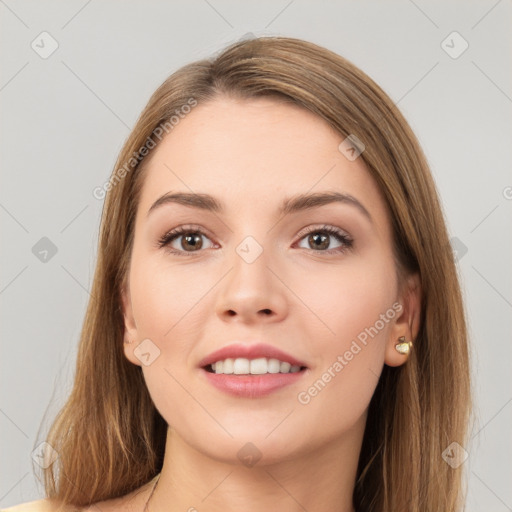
[276, 320]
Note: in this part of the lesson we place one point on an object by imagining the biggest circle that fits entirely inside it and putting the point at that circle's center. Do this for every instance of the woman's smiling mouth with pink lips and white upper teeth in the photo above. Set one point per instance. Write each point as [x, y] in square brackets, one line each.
[251, 371]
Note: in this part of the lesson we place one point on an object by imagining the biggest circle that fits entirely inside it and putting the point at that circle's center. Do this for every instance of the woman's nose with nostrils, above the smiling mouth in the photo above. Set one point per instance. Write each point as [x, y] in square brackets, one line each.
[252, 291]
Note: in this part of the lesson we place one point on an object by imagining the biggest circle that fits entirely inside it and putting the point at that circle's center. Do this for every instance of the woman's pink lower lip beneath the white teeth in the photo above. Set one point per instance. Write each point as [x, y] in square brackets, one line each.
[252, 386]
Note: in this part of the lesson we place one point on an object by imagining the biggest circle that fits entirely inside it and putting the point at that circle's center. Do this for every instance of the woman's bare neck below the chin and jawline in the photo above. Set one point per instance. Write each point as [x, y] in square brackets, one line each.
[322, 479]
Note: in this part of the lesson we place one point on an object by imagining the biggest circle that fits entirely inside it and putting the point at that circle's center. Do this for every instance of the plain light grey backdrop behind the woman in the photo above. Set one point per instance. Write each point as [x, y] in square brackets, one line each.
[65, 117]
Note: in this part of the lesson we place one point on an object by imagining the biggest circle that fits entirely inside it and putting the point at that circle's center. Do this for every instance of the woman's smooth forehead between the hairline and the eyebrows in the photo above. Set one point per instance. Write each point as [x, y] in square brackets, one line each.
[253, 153]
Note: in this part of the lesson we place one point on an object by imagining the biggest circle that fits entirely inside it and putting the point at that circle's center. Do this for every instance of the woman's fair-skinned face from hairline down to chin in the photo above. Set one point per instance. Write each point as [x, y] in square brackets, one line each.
[317, 283]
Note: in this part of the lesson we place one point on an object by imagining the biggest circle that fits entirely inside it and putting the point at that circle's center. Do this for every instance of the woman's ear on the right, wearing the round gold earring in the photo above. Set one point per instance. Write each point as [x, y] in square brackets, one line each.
[407, 323]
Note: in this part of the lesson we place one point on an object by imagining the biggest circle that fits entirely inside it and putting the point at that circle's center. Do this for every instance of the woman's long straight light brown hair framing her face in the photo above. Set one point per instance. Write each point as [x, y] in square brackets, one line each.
[109, 436]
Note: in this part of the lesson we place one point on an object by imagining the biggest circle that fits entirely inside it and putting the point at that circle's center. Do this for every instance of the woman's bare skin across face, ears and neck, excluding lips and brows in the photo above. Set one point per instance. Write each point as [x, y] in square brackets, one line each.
[251, 155]
